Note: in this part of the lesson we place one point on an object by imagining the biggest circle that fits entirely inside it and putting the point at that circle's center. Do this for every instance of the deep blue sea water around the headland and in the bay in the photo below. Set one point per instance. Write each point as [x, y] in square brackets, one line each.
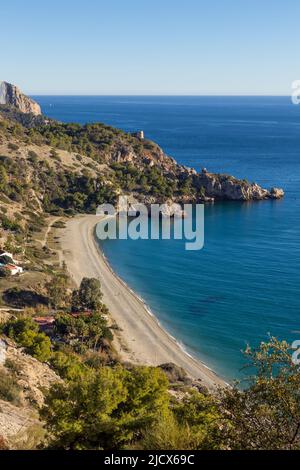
[245, 283]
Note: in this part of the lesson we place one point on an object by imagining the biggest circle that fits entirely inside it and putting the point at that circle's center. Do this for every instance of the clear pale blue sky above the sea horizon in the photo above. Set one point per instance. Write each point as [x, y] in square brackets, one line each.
[150, 46]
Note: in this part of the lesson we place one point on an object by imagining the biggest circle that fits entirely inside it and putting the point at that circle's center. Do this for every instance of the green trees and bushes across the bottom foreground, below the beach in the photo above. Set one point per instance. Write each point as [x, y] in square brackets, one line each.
[112, 408]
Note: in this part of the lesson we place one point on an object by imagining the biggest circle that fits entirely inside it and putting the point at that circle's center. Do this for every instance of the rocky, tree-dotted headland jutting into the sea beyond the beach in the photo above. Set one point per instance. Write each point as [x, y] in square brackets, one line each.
[116, 163]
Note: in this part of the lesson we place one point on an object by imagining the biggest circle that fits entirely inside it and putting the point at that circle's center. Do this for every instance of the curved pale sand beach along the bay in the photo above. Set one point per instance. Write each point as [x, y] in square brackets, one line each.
[143, 340]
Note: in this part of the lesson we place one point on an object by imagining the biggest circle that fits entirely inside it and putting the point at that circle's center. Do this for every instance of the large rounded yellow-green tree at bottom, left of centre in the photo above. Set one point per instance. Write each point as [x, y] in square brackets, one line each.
[105, 409]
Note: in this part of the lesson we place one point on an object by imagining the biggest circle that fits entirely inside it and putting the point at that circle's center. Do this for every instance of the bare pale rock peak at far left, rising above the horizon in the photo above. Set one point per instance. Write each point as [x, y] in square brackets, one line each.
[12, 96]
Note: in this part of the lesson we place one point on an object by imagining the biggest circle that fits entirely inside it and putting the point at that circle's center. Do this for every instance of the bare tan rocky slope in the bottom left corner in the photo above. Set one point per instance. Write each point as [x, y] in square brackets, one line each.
[23, 382]
